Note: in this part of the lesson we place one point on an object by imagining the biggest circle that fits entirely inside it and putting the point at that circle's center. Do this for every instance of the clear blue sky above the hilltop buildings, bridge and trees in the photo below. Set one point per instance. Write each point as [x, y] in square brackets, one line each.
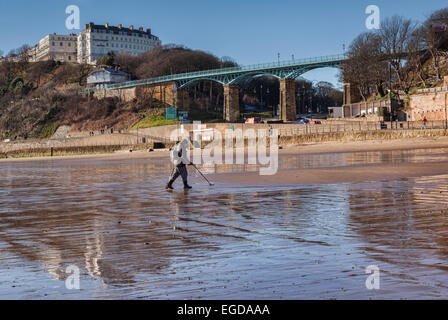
[250, 31]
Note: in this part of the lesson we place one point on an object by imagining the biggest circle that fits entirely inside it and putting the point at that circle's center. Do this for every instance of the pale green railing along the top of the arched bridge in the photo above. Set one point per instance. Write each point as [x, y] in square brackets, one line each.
[223, 71]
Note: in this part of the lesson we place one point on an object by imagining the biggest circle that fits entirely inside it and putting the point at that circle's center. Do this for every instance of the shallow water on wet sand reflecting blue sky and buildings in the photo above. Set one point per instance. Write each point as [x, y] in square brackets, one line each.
[132, 239]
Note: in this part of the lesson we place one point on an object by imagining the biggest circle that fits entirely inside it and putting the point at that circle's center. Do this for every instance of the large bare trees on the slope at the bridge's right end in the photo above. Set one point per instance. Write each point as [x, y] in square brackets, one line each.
[399, 43]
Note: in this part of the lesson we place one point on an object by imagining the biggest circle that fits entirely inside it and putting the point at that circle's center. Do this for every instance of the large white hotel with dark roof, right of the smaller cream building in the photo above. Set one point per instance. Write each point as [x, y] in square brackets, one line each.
[97, 40]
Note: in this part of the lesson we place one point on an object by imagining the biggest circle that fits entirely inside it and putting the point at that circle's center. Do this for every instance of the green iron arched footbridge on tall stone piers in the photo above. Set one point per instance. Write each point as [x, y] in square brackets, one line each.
[230, 78]
